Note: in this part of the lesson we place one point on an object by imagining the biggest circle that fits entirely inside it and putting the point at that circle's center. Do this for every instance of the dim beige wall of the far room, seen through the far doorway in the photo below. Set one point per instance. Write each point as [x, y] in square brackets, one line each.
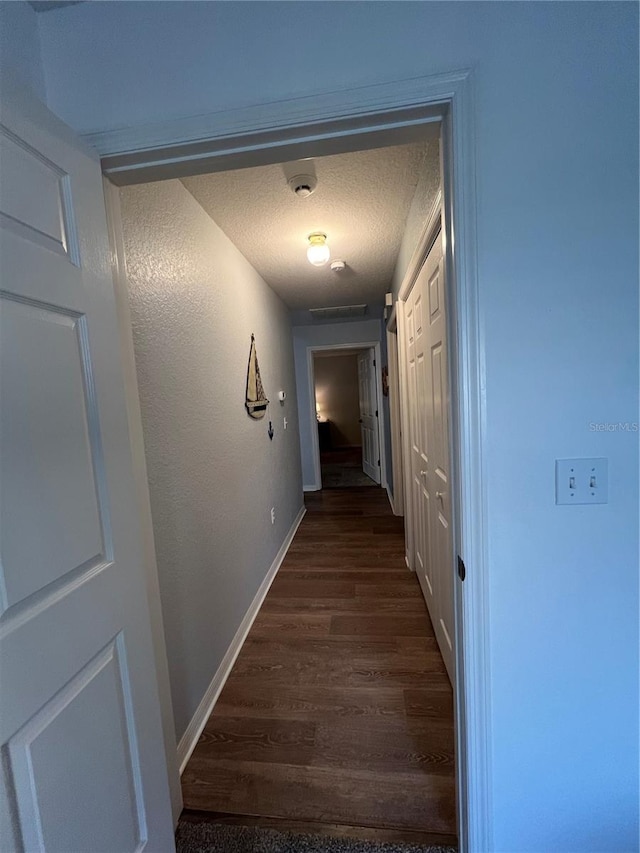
[336, 385]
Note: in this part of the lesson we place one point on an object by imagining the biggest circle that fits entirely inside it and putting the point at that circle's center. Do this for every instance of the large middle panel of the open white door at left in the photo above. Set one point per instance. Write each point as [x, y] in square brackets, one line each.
[45, 374]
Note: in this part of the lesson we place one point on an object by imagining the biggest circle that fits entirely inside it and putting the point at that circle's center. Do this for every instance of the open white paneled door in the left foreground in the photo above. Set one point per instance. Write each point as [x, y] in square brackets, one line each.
[83, 758]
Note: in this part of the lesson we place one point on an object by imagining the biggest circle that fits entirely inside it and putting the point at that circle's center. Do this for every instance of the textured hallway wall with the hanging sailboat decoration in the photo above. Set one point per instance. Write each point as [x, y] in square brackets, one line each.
[213, 473]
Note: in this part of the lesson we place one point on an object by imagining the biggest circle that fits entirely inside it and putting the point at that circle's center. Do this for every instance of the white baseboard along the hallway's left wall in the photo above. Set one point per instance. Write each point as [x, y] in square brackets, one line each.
[191, 736]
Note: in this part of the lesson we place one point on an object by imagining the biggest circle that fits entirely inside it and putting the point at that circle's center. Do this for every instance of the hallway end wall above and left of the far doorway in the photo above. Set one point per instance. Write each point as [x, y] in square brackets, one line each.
[326, 334]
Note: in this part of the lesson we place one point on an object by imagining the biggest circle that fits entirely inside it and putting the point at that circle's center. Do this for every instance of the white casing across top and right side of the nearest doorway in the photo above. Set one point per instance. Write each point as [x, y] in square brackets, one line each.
[449, 104]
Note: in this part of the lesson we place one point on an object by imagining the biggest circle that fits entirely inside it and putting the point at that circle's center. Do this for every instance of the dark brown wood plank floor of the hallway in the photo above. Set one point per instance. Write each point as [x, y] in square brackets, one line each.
[338, 714]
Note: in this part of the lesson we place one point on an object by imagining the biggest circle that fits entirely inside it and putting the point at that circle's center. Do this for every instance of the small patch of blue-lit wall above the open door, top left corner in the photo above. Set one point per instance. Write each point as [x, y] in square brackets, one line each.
[20, 45]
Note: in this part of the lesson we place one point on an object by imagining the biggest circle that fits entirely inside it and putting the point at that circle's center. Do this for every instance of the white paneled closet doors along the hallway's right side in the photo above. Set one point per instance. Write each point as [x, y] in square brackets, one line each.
[430, 533]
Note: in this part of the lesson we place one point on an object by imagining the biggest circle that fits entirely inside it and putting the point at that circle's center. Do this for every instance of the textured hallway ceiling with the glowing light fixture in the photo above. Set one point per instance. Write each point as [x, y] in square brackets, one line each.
[361, 203]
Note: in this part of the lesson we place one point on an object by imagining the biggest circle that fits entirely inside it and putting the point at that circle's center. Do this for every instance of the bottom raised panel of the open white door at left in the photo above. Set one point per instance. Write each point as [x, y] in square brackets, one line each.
[82, 777]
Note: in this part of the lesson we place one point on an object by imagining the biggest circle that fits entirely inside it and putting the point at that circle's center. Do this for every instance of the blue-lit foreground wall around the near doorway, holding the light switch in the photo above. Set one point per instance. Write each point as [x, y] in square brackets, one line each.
[556, 104]
